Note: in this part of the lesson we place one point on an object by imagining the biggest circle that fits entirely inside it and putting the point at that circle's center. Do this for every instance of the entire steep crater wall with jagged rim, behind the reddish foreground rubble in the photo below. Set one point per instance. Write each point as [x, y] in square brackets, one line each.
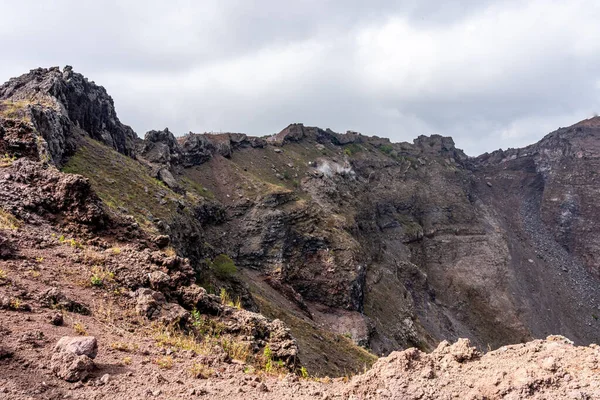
[342, 235]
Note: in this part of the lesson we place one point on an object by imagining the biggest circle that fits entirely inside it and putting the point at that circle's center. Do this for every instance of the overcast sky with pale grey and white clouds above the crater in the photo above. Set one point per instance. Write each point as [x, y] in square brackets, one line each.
[492, 74]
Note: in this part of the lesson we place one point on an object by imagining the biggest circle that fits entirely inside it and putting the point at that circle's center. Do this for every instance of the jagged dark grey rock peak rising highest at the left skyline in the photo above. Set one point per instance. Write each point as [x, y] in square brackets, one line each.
[63, 104]
